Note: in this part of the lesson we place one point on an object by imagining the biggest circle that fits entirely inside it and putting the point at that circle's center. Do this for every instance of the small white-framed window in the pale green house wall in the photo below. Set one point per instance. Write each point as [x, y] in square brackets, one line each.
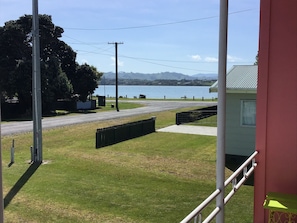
[248, 112]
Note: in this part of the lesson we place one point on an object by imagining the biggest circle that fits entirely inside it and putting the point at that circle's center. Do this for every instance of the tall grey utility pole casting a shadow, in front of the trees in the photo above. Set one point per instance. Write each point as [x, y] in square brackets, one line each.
[36, 85]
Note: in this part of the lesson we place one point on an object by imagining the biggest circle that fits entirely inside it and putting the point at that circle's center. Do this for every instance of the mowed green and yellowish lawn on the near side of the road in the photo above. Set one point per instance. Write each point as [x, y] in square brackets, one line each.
[160, 177]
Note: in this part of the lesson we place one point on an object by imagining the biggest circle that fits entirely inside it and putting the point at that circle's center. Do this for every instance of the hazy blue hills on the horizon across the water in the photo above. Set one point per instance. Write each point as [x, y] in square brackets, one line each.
[159, 76]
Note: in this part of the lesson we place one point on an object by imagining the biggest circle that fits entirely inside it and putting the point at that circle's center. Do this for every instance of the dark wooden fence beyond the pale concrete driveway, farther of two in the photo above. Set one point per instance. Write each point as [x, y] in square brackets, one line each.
[195, 115]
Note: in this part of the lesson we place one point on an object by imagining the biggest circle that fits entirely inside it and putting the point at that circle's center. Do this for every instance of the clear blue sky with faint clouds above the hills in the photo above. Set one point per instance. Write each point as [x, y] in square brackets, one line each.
[157, 35]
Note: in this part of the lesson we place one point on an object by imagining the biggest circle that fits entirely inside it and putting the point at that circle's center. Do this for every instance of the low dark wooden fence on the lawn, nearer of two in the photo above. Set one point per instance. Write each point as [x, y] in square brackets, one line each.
[119, 133]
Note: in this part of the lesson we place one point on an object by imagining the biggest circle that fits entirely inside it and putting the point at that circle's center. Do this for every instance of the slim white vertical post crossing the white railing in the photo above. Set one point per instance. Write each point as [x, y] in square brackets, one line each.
[220, 168]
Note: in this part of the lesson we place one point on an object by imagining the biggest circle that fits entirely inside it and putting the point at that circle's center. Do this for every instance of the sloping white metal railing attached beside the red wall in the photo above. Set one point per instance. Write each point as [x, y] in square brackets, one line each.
[247, 168]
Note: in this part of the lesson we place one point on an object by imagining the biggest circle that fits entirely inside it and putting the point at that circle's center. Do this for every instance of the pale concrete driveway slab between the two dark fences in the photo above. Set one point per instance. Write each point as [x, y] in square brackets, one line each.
[190, 129]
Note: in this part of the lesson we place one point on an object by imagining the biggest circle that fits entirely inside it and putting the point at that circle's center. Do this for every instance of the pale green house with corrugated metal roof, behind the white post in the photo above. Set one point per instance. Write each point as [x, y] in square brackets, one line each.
[241, 89]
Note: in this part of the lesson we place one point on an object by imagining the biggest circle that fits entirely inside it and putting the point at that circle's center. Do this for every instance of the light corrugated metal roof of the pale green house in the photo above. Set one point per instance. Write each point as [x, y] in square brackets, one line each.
[240, 79]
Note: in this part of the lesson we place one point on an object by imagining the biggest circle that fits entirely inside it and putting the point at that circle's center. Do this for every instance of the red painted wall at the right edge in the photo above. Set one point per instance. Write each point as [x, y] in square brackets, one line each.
[276, 129]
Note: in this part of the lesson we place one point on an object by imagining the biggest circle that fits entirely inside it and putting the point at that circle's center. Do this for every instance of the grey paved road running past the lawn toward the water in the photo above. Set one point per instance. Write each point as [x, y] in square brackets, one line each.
[150, 107]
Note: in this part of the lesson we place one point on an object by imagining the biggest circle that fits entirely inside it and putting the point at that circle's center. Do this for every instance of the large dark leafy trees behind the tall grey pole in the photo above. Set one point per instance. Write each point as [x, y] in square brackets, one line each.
[61, 76]
